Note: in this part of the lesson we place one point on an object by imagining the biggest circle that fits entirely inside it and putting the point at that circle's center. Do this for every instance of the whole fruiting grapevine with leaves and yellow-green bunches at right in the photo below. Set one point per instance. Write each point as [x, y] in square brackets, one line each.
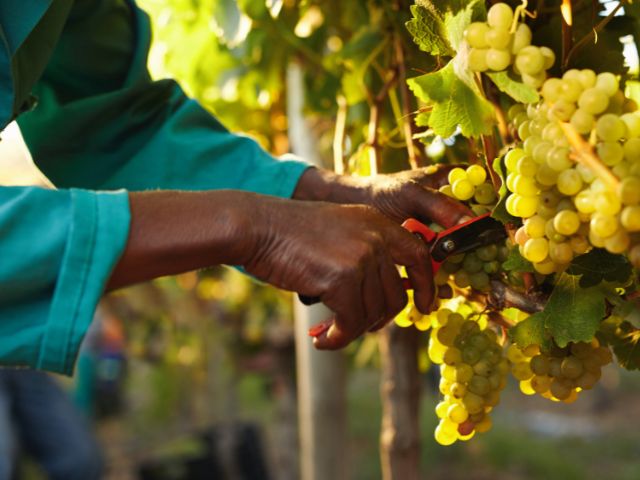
[567, 155]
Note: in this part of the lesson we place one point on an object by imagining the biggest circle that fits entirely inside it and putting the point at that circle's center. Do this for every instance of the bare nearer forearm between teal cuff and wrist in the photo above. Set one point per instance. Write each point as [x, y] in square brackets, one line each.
[173, 232]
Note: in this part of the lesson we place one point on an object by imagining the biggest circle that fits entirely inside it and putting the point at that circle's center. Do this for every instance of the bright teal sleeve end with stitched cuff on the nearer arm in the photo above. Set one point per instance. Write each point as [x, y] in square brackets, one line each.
[57, 250]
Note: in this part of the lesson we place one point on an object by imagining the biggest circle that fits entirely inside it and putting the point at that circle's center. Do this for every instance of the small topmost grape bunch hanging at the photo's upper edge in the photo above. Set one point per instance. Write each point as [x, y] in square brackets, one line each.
[501, 41]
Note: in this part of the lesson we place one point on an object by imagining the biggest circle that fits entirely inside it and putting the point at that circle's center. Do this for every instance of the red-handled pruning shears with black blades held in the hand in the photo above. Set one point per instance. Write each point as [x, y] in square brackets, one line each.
[474, 233]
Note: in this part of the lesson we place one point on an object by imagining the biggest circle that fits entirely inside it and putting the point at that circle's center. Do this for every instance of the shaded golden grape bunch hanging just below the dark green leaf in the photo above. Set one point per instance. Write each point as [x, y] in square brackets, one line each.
[558, 374]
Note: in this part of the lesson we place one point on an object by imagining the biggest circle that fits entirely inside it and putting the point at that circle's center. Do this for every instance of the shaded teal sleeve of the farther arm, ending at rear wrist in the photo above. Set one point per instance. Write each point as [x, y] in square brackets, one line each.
[102, 123]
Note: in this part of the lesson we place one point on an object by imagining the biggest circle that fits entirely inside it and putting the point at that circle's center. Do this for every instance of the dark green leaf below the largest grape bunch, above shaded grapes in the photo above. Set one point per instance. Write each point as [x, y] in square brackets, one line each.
[573, 313]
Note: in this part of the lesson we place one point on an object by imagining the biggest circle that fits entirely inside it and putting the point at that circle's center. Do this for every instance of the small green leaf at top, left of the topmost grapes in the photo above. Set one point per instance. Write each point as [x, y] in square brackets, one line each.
[428, 30]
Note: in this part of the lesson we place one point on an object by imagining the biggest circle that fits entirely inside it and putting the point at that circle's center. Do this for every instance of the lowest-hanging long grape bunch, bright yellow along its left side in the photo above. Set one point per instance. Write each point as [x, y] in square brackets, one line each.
[473, 372]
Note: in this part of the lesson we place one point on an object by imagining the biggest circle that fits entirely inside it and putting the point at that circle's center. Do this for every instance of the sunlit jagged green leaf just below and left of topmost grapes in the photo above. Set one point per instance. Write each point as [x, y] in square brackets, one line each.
[454, 103]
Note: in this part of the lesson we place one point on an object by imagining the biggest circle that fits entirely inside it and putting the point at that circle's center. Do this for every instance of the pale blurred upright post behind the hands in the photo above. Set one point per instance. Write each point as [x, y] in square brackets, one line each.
[321, 375]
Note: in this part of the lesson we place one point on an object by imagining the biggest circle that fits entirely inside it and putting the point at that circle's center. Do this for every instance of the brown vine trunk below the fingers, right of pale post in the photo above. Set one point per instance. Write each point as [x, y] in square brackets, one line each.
[400, 390]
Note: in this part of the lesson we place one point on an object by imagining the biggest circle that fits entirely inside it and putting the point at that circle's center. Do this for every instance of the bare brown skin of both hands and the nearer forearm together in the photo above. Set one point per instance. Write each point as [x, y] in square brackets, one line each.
[338, 239]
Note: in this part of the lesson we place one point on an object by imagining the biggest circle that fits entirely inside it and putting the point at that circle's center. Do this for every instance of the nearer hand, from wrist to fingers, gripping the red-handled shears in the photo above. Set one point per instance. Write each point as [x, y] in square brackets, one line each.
[344, 254]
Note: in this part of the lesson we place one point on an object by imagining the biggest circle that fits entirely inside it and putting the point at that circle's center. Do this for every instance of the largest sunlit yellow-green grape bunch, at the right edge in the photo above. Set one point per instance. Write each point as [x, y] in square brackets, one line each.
[567, 208]
